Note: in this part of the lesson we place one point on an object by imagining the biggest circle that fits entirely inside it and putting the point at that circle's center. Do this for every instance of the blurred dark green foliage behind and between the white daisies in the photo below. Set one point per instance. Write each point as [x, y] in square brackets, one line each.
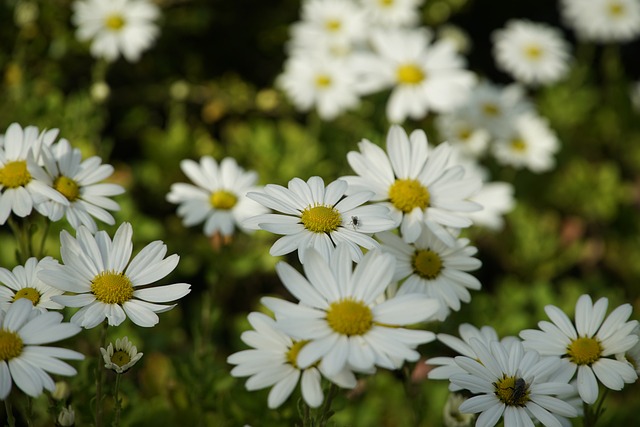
[206, 88]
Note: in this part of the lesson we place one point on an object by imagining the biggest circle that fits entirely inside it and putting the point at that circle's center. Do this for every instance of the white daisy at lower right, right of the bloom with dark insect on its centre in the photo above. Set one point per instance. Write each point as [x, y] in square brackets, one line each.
[587, 345]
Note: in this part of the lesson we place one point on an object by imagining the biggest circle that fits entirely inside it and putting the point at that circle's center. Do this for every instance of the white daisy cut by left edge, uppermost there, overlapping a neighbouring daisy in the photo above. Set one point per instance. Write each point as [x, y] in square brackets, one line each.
[23, 183]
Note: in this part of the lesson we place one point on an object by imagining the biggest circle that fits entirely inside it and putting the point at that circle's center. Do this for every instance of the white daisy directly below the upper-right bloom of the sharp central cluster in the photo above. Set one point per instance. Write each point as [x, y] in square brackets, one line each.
[429, 266]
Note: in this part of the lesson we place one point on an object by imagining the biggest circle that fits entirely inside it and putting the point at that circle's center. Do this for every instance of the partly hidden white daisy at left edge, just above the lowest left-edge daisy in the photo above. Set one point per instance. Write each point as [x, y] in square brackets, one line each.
[23, 282]
